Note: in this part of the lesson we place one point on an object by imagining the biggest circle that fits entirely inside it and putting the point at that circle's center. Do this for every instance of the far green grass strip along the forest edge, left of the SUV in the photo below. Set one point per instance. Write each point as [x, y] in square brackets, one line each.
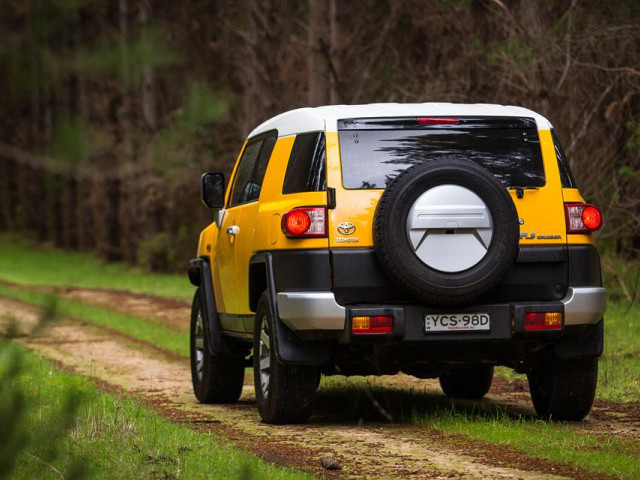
[24, 263]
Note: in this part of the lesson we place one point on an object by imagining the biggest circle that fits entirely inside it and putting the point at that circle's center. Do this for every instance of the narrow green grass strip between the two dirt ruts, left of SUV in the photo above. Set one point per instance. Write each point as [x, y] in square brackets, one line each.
[169, 340]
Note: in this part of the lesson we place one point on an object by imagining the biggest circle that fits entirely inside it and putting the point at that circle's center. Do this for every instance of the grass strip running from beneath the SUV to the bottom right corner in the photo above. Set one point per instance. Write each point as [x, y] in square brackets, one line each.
[485, 421]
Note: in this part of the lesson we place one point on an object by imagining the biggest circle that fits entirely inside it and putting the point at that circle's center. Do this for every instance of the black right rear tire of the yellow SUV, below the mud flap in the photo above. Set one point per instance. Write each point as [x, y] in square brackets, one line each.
[563, 389]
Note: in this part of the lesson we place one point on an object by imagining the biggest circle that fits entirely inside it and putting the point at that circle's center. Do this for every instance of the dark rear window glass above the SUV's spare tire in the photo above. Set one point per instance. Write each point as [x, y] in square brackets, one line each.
[375, 152]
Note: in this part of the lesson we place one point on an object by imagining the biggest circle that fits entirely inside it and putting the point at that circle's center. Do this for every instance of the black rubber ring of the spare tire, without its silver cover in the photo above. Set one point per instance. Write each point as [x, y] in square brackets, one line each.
[403, 266]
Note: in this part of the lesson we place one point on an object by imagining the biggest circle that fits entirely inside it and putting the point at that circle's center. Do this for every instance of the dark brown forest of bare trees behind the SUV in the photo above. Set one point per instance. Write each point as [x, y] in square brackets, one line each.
[111, 110]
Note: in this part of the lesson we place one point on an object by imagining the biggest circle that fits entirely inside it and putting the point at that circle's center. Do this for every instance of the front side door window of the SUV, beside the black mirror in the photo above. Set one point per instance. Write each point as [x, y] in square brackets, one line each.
[253, 165]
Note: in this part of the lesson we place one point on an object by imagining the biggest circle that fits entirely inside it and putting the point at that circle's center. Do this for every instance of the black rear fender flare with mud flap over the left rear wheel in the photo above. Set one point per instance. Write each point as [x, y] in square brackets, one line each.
[289, 348]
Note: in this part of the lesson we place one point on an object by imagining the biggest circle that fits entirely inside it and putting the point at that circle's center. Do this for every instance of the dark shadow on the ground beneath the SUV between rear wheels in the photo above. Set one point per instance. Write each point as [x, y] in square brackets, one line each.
[362, 404]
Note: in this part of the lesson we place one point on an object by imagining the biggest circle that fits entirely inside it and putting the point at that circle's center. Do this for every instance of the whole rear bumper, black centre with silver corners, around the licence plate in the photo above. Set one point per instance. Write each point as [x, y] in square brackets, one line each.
[319, 311]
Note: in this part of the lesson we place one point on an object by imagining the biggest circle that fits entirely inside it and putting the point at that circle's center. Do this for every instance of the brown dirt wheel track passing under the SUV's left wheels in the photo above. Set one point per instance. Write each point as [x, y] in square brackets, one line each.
[412, 451]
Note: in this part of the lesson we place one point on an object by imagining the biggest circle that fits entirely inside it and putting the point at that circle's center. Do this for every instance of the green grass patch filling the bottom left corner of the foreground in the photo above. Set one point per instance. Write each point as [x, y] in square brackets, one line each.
[107, 437]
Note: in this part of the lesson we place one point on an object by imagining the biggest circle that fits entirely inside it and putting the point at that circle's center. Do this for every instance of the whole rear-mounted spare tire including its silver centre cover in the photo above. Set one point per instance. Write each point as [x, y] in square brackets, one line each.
[446, 231]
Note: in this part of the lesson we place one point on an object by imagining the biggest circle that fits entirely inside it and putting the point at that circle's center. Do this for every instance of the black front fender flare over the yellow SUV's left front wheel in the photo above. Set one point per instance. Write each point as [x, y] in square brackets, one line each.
[200, 275]
